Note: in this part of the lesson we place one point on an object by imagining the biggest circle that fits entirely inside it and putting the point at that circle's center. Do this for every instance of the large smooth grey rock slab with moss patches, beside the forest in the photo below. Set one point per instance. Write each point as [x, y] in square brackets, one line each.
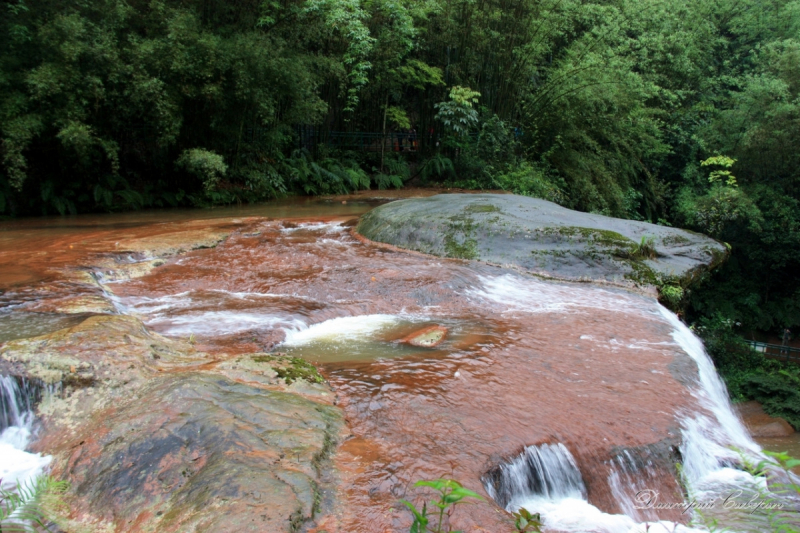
[543, 238]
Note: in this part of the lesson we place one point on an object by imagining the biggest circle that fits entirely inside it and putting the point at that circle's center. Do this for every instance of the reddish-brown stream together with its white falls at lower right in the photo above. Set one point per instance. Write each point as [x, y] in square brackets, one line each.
[571, 400]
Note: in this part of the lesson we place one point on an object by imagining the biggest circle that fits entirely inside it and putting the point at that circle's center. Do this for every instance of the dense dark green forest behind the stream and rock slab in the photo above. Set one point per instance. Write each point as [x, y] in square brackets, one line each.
[670, 111]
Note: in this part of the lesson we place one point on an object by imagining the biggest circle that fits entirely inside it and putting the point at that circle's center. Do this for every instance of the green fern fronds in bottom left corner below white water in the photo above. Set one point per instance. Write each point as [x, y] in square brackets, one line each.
[21, 509]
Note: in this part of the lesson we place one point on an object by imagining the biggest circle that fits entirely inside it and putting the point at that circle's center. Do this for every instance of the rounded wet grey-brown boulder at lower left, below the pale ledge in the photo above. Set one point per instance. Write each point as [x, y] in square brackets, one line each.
[198, 452]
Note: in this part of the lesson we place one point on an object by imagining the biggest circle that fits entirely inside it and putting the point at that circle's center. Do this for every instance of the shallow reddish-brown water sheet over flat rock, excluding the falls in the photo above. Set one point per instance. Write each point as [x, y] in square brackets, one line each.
[525, 361]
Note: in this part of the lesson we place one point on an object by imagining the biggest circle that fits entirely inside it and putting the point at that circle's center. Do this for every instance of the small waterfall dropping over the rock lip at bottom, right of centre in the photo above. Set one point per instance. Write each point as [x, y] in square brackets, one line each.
[547, 471]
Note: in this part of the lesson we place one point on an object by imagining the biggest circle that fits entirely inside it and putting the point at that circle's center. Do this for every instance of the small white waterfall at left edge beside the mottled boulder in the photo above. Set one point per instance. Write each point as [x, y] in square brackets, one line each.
[17, 398]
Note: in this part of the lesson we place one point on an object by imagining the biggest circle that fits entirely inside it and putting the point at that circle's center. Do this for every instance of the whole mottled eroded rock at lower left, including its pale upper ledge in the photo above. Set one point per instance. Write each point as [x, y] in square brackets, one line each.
[154, 435]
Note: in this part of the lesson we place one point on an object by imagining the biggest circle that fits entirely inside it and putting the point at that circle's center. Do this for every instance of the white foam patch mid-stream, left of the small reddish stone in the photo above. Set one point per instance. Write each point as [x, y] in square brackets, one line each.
[349, 328]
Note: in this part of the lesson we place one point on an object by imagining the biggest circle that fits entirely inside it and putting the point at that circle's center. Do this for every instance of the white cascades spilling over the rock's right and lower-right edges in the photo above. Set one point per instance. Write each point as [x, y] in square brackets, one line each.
[546, 479]
